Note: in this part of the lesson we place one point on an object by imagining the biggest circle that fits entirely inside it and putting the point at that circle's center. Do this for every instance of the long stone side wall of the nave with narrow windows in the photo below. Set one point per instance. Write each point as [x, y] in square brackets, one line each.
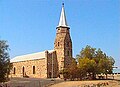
[40, 68]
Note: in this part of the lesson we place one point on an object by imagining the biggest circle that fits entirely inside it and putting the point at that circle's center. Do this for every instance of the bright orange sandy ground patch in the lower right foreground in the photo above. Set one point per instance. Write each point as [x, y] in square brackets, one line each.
[108, 83]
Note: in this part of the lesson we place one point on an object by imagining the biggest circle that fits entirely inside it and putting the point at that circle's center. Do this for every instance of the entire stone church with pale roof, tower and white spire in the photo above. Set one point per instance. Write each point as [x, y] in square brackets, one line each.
[48, 63]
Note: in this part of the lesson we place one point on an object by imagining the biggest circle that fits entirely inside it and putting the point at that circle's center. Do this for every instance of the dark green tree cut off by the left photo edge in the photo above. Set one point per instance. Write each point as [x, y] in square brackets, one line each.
[5, 65]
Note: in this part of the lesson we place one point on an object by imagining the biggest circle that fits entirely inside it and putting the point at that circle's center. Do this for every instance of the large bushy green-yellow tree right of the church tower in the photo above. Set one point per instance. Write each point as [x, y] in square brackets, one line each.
[92, 61]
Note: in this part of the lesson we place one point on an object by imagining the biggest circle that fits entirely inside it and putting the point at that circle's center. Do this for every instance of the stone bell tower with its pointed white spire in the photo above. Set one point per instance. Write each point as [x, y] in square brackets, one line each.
[63, 43]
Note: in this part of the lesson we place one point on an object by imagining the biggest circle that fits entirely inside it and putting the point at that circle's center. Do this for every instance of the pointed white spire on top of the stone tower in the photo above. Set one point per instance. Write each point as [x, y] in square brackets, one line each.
[63, 22]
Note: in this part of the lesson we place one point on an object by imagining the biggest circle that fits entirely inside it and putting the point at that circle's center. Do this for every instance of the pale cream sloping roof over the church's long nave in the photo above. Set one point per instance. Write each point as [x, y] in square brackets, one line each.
[33, 56]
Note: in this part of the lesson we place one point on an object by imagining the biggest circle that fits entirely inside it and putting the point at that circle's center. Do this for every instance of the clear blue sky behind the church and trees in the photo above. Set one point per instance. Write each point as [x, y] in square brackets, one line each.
[30, 25]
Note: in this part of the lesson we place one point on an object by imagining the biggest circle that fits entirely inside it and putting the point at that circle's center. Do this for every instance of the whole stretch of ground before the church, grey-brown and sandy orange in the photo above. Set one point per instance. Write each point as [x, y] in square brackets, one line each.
[39, 82]
